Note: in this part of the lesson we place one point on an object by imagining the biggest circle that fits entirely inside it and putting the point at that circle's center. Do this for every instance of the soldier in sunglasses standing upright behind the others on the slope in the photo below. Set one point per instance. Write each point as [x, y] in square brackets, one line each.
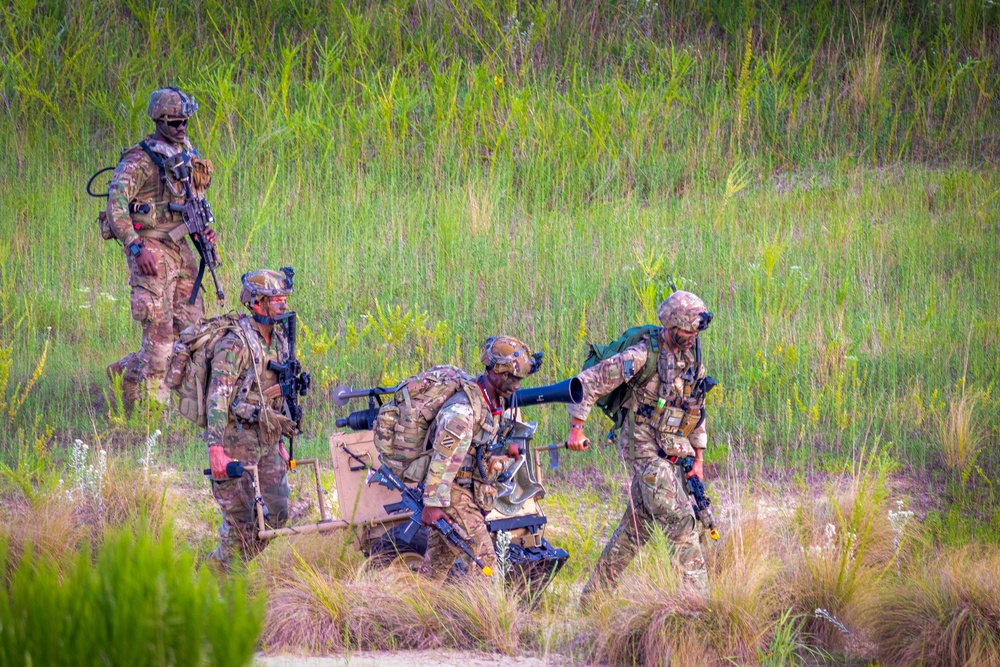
[162, 267]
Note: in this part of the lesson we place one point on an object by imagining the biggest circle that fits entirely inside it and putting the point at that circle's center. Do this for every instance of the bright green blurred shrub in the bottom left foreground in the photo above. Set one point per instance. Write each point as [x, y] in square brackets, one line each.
[139, 602]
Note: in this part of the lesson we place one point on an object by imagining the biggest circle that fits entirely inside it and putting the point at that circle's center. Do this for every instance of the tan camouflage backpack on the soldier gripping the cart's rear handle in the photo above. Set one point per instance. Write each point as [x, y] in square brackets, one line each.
[190, 366]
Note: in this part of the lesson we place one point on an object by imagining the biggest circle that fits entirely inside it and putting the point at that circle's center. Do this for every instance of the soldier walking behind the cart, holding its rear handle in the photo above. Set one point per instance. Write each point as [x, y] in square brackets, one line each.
[245, 418]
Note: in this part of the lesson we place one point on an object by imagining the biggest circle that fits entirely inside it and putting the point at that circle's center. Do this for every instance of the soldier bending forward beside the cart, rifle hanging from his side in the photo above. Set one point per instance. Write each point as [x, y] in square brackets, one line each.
[456, 488]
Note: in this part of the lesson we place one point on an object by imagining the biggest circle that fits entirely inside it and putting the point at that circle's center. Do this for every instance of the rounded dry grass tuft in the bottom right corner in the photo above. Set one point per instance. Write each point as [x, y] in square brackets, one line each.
[947, 613]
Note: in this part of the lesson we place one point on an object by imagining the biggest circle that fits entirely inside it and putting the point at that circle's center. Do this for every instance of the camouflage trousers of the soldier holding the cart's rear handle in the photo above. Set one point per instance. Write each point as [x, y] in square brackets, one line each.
[236, 497]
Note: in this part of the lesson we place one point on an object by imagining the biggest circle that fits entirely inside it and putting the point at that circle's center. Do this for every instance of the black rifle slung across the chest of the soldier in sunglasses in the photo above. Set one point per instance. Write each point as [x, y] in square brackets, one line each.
[197, 216]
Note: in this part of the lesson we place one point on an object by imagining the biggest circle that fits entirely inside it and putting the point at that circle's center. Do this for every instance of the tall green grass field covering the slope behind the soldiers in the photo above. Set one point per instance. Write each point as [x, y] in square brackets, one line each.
[823, 174]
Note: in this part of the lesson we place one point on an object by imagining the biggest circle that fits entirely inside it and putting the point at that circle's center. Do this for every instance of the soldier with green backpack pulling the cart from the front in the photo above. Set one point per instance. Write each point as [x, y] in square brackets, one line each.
[657, 495]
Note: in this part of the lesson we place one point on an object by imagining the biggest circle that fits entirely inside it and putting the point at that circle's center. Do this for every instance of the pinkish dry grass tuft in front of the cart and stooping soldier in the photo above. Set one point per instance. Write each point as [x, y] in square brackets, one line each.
[348, 605]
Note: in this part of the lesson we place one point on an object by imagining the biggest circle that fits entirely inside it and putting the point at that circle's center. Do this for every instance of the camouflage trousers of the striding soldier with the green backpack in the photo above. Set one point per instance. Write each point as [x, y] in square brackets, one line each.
[657, 499]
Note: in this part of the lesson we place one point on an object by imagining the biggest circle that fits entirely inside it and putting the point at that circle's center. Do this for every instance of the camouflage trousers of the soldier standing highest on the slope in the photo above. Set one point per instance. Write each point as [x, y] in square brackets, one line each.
[160, 306]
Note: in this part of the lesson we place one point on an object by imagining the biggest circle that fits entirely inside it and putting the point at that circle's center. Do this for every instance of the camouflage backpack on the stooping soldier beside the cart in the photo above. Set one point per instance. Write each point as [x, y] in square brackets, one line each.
[402, 427]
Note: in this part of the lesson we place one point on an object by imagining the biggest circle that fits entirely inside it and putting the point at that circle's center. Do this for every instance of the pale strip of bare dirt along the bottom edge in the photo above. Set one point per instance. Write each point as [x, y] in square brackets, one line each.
[403, 659]
